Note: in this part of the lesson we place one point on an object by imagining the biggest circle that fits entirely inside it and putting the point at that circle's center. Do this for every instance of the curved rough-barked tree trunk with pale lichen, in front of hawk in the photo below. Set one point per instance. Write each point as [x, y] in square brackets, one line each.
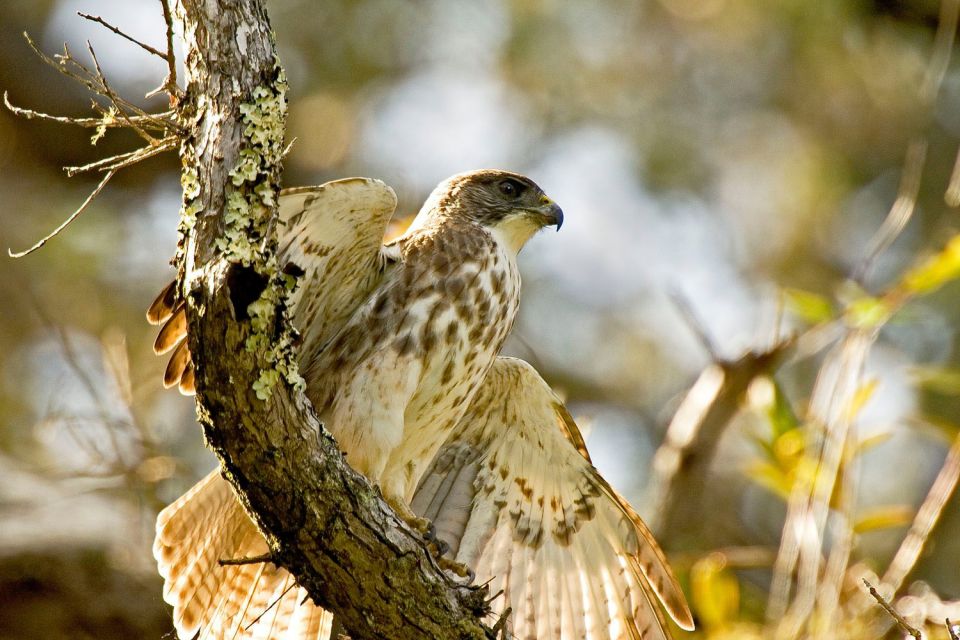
[322, 520]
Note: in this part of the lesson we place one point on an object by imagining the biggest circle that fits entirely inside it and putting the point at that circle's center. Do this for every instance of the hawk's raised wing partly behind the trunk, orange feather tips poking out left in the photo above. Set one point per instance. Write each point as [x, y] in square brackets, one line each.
[333, 234]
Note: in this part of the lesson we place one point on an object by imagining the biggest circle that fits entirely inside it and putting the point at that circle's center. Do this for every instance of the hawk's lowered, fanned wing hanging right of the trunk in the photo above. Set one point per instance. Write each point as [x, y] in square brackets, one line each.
[517, 499]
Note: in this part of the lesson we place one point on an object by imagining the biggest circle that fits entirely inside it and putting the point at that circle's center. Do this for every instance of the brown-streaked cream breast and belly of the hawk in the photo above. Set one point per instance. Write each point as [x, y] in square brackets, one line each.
[404, 369]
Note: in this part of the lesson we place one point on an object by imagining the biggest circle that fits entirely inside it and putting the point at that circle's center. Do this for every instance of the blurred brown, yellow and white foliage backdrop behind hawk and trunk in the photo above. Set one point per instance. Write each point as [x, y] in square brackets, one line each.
[724, 166]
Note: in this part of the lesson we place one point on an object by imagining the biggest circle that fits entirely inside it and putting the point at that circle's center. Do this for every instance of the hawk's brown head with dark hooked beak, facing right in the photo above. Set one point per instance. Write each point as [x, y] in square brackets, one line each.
[510, 206]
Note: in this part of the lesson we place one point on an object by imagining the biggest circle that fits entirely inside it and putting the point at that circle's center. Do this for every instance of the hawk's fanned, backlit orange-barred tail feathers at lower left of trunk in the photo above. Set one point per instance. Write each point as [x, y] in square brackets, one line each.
[251, 601]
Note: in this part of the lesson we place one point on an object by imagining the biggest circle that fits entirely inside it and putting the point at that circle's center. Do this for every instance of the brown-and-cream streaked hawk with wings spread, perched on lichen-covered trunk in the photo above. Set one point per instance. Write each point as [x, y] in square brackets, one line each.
[400, 353]
